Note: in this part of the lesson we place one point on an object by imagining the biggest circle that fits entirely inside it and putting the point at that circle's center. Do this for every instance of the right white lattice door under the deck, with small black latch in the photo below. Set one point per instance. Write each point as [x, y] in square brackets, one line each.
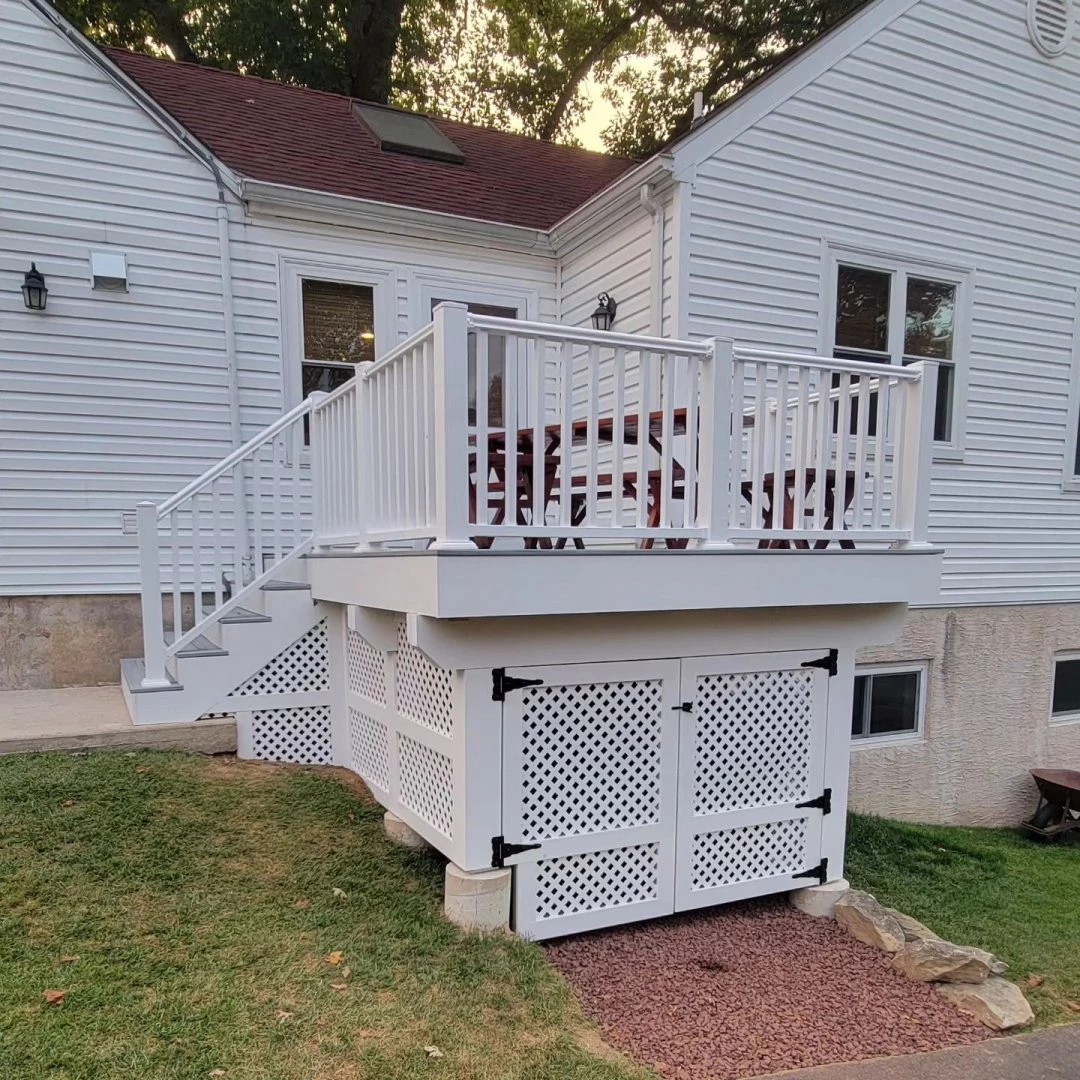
[752, 767]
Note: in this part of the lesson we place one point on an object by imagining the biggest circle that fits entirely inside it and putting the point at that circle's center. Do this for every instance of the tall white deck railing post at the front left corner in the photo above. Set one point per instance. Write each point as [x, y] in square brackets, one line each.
[451, 371]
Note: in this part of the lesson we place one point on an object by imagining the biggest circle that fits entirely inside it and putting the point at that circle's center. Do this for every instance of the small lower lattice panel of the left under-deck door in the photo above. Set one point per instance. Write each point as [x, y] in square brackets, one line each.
[597, 881]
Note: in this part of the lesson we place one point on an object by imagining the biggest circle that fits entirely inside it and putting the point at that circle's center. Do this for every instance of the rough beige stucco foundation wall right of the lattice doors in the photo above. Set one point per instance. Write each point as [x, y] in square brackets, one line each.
[988, 718]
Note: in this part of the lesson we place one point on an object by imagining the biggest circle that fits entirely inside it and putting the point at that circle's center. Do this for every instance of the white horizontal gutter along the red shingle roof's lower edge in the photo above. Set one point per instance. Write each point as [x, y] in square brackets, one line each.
[394, 218]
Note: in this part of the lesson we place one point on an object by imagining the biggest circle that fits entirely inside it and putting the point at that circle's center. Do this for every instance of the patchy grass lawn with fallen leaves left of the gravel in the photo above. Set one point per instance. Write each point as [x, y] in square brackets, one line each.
[187, 908]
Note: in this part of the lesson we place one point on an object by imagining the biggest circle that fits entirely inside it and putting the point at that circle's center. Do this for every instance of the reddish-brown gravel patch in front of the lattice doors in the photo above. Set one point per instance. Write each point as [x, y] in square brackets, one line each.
[750, 990]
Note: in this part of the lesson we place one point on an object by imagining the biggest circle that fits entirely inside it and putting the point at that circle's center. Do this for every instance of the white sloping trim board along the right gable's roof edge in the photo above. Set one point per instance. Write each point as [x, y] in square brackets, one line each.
[774, 90]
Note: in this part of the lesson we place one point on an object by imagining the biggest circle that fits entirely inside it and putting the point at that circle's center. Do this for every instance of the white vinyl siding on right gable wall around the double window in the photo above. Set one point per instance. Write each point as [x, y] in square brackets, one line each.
[946, 139]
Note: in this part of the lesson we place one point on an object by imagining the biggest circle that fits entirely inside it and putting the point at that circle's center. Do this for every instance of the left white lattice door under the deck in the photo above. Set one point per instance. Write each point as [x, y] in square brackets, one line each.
[590, 760]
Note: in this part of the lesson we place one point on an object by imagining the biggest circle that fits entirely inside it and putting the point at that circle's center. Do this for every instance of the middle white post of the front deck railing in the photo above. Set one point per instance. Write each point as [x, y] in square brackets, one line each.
[714, 503]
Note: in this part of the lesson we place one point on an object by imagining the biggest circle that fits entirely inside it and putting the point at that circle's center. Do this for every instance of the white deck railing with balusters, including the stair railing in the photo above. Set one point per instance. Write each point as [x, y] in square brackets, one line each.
[480, 430]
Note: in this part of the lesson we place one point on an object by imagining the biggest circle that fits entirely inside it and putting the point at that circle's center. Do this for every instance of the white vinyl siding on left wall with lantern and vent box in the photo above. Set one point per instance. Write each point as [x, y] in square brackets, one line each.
[105, 398]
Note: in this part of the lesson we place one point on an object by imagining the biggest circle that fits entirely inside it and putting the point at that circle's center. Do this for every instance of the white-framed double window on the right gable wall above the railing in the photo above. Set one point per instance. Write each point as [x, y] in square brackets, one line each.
[895, 314]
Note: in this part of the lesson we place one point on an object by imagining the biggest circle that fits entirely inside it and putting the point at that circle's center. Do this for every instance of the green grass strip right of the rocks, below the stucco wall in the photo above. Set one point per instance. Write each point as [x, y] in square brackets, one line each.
[992, 888]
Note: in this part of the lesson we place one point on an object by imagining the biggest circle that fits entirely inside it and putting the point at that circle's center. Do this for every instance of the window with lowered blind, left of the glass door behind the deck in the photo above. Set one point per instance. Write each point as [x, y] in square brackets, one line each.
[339, 332]
